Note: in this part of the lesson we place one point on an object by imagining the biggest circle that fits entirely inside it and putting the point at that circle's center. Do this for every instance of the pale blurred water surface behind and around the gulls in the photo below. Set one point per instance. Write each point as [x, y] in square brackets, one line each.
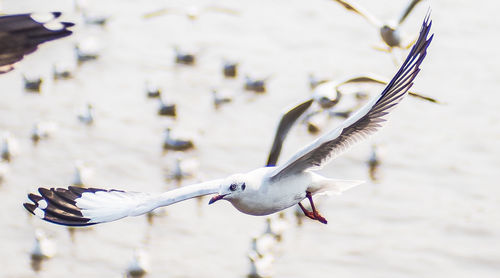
[434, 212]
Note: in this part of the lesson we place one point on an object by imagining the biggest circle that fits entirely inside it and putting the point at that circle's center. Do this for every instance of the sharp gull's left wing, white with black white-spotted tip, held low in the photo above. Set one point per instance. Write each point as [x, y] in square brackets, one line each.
[77, 206]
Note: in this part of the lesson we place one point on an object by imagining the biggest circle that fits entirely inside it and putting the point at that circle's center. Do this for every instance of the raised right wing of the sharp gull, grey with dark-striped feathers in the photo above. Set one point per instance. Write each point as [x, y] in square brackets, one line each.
[366, 121]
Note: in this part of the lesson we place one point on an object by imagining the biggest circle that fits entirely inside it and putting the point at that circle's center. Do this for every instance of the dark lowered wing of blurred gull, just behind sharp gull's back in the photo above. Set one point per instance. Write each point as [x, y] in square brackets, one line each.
[286, 123]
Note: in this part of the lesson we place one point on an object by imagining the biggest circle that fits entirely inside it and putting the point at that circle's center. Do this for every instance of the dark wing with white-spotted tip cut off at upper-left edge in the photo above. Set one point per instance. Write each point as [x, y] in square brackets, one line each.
[20, 34]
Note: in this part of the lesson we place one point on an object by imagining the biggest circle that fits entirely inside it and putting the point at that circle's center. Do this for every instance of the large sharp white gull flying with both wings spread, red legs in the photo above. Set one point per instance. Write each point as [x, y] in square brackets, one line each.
[262, 191]
